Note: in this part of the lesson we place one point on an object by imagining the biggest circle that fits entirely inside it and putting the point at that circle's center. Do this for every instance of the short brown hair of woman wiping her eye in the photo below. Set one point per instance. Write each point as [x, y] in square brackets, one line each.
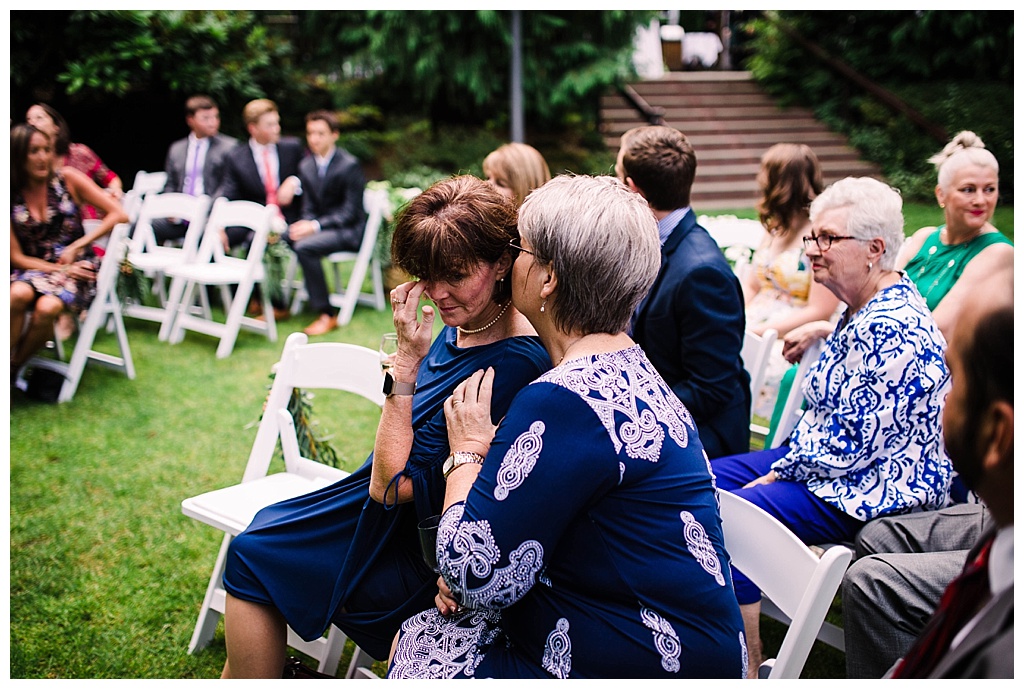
[446, 232]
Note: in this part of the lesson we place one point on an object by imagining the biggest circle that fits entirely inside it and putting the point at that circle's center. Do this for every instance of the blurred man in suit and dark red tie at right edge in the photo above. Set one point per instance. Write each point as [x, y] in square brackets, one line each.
[971, 633]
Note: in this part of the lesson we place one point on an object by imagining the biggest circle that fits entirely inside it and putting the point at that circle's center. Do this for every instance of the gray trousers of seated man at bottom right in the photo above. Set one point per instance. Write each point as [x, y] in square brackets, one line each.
[904, 564]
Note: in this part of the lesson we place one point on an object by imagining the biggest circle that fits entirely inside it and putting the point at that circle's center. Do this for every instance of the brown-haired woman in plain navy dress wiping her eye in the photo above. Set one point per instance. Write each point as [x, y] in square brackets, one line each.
[350, 554]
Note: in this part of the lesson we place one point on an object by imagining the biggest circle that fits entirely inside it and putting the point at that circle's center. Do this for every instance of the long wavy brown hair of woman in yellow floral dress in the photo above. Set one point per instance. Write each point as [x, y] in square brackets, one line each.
[790, 180]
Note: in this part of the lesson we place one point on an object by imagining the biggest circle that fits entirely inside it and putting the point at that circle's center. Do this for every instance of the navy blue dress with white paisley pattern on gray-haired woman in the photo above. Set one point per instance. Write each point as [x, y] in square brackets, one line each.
[590, 545]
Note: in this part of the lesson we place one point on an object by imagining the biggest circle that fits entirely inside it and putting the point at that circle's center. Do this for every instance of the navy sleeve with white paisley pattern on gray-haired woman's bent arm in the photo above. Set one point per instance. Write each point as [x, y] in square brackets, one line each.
[547, 463]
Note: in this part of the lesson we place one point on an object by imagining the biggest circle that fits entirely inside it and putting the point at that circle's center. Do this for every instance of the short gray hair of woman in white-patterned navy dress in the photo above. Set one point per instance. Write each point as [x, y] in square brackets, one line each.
[602, 241]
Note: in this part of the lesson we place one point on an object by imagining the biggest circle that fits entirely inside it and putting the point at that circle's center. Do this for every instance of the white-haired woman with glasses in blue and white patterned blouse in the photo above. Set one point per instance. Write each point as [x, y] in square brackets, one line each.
[870, 443]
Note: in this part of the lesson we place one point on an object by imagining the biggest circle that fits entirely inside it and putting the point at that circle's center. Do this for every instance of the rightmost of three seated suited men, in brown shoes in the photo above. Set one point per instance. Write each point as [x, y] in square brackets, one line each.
[333, 219]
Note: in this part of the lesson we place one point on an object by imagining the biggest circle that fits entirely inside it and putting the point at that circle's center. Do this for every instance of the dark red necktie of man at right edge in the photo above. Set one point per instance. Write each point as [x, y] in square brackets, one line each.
[961, 601]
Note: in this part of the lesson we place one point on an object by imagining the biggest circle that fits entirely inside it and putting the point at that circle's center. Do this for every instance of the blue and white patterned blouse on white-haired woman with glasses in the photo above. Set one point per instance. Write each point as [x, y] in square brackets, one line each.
[871, 441]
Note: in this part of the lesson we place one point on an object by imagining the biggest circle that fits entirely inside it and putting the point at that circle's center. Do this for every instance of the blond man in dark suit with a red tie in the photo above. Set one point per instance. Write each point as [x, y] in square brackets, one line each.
[267, 169]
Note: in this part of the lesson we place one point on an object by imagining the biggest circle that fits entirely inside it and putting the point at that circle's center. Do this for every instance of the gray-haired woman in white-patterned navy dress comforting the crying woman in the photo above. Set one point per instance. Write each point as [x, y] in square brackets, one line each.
[581, 537]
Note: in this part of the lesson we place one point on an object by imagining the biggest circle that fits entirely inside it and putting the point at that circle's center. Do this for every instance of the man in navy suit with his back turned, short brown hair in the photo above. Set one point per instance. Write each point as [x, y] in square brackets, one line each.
[692, 324]
